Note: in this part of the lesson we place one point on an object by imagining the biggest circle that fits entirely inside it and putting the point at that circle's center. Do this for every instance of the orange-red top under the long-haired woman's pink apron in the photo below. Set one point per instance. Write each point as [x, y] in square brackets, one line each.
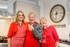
[13, 29]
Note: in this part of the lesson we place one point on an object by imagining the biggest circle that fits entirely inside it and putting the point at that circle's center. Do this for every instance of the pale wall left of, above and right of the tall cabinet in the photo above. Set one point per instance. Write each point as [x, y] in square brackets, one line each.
[10, 5]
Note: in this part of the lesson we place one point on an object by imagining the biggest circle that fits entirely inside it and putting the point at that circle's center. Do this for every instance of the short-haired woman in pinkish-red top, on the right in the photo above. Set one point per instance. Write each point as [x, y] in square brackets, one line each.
[50, 36]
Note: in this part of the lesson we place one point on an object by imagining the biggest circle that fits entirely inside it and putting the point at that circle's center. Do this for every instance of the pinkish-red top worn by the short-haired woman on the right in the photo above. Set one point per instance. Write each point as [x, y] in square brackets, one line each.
[50, 37]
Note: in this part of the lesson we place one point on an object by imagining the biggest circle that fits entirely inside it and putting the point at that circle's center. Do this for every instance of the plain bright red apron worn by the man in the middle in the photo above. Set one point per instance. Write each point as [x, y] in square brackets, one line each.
[30, 40]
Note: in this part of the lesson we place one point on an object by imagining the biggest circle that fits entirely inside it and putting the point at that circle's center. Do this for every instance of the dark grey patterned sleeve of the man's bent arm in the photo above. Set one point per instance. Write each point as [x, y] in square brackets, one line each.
[37, 31]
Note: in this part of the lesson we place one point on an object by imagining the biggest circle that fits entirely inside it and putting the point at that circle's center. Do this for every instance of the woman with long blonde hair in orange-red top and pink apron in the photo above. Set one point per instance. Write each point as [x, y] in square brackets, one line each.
[17, 31]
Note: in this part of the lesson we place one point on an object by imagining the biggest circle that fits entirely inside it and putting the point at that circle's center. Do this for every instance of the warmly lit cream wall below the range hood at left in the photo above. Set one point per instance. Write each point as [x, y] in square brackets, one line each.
[4, 26]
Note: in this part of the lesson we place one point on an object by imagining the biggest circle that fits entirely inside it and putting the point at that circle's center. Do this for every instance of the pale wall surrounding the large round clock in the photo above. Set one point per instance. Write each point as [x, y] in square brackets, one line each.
[63, 32]
